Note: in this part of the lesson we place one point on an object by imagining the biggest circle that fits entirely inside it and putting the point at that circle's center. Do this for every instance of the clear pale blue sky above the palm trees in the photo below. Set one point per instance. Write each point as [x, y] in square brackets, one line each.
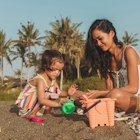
[124, 14]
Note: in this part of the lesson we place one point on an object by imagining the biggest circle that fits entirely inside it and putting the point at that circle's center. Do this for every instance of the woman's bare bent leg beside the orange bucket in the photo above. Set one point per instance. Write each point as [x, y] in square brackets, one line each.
[125, 101]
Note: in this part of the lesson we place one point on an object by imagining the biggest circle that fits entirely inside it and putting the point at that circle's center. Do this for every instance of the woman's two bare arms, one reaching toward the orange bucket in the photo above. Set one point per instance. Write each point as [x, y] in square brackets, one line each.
[132, 59]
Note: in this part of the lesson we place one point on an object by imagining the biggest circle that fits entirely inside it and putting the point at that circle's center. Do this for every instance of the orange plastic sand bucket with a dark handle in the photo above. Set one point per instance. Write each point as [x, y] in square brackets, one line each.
[102, 114]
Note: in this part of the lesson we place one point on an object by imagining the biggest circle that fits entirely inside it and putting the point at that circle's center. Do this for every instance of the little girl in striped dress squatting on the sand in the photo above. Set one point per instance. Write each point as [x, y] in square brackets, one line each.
[43, 89]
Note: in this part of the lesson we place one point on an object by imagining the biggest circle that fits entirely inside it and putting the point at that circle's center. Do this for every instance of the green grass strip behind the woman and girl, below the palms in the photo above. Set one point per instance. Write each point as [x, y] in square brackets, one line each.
[9, 94]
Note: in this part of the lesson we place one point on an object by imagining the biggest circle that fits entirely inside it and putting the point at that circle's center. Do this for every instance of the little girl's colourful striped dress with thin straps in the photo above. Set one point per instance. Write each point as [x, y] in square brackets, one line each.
[27, 101]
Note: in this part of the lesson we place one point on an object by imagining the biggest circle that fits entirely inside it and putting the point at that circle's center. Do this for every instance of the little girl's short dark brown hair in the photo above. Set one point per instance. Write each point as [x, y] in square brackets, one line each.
[50, 56]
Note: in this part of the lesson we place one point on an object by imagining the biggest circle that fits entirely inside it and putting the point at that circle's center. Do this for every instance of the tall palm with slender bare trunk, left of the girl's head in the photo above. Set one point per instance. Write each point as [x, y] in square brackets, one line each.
[29, 36]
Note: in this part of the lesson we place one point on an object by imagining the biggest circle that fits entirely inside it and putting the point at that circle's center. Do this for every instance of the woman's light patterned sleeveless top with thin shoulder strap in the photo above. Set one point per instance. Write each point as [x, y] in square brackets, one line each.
[120, 77]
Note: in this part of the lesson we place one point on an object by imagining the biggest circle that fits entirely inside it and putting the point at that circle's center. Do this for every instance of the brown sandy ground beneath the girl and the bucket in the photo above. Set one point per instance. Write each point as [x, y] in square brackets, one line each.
[57, 127]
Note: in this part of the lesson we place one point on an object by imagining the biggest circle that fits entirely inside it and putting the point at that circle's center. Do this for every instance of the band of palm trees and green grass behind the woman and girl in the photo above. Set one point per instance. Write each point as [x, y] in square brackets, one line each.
[65, 37]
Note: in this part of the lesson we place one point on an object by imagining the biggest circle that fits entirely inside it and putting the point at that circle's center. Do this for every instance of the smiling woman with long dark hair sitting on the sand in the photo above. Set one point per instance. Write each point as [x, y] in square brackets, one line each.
[119, 64]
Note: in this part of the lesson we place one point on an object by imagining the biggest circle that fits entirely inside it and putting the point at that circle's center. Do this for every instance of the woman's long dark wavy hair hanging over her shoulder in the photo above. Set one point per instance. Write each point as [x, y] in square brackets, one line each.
[95, 57]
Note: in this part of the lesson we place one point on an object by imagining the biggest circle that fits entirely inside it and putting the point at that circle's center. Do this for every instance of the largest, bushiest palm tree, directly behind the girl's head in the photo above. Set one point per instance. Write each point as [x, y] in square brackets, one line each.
[61, 37]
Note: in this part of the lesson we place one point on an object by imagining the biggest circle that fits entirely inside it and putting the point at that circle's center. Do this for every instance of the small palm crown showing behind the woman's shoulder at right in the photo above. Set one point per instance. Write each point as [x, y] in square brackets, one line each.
[130, 39]
